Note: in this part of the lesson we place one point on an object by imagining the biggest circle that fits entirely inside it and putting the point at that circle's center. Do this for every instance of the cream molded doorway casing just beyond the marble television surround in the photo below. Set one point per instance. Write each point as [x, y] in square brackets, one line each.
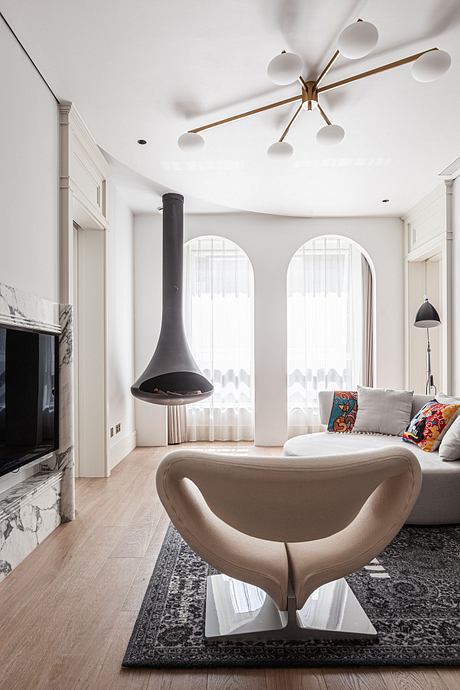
[83, 203]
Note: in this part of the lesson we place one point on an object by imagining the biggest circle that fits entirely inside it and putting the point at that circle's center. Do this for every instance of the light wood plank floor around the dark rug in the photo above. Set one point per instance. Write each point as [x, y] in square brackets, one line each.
[66, 613]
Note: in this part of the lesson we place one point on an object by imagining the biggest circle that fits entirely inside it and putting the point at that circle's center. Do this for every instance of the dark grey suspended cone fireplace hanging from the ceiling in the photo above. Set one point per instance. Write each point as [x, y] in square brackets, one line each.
[172, 376]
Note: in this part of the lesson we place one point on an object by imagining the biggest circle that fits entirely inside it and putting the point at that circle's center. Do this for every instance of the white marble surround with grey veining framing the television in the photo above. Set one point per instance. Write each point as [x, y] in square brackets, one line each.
[34, 506]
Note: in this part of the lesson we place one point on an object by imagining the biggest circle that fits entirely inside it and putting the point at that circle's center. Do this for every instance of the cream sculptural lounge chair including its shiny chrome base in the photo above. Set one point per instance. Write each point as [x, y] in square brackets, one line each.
[284, 532]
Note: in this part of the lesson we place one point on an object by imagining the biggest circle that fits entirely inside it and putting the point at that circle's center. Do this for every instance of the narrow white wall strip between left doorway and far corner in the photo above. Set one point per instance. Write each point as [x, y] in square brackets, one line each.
[120, 325]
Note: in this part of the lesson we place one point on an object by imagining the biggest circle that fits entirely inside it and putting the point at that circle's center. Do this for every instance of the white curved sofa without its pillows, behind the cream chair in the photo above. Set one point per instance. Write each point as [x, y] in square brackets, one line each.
[439, 500]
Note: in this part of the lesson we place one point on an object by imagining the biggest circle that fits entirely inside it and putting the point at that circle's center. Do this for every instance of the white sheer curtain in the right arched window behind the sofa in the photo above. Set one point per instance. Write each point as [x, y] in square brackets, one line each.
[324, 326]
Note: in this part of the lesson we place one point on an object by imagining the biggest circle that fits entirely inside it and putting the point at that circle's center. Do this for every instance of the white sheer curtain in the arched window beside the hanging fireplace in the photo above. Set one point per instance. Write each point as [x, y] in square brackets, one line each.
[219, 323]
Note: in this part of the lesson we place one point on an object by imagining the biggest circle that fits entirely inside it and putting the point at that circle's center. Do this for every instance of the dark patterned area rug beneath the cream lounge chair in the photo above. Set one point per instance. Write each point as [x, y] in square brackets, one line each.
[411, 596]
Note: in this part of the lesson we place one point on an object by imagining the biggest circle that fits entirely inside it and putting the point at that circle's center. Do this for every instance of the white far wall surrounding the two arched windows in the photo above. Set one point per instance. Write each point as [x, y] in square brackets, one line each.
[270, 242]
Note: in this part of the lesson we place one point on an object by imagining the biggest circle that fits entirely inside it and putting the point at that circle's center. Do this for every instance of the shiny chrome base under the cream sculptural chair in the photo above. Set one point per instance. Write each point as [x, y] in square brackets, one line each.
[236, 610]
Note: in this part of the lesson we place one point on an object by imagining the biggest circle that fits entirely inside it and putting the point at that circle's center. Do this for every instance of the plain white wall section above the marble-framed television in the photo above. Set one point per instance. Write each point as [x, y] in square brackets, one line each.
[28, 174]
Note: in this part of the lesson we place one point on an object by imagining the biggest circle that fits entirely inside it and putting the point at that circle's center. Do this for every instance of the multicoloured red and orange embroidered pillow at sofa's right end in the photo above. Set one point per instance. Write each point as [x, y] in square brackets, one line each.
[430, 424]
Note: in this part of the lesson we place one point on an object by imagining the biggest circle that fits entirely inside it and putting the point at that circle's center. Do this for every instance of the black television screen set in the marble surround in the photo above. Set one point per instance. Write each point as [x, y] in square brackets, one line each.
[29, 414]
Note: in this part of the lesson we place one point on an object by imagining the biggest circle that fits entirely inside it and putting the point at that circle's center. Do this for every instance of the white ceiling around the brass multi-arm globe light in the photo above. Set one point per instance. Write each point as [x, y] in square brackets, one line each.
[153, 69]
